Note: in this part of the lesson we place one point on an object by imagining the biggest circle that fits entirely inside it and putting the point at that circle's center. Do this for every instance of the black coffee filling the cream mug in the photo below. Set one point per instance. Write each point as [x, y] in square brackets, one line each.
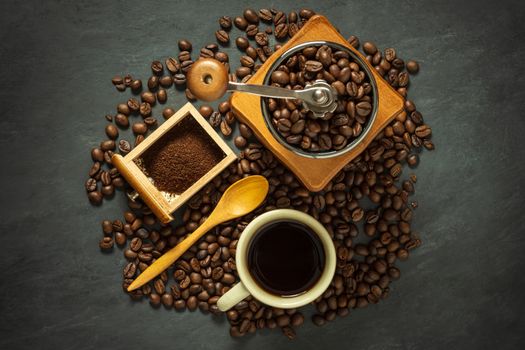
[286, 258]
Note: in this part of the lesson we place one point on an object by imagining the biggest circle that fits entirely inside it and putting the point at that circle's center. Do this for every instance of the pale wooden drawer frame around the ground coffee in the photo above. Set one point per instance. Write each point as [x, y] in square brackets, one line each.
[159, 205]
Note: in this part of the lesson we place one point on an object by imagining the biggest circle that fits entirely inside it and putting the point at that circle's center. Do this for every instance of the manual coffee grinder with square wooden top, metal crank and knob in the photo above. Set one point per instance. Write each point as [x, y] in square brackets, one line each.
[208, 80]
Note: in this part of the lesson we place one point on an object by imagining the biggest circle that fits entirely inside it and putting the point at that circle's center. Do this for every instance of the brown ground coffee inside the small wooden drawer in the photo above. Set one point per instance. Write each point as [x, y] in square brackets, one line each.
[181, 157]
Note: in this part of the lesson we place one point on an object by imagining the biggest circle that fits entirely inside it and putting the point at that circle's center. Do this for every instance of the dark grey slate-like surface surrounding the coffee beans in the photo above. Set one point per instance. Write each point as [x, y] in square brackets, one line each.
[463, 289]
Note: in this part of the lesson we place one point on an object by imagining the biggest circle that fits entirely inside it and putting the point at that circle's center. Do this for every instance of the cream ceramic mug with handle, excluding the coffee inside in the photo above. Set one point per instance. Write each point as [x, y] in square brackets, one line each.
[247, 286]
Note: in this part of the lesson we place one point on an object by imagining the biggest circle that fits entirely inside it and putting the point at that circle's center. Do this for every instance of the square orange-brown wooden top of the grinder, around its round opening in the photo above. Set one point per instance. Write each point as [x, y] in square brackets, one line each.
[315, 173]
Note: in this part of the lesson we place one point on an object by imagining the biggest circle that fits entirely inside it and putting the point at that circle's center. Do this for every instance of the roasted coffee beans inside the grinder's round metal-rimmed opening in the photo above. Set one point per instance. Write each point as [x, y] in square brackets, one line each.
[334, 131]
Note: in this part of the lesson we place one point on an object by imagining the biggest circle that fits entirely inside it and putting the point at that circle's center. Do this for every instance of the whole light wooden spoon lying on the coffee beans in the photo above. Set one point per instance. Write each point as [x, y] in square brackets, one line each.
[239, 199]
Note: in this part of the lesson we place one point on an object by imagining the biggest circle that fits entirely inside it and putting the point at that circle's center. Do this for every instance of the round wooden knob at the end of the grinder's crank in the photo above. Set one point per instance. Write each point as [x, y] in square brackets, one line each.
[207, 79]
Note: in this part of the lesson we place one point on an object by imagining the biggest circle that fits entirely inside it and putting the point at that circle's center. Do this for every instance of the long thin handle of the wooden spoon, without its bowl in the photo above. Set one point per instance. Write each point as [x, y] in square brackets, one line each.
[171, 255]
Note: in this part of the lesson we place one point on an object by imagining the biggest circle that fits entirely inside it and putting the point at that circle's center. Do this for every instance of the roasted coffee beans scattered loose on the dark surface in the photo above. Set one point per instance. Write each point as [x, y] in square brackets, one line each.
[367, 207]
